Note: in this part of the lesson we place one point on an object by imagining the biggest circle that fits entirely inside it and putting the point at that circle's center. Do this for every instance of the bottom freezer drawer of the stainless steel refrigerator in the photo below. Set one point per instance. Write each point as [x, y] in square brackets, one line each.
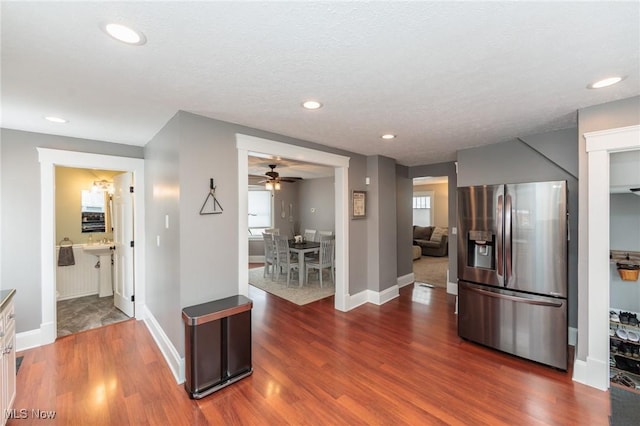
[532, 327]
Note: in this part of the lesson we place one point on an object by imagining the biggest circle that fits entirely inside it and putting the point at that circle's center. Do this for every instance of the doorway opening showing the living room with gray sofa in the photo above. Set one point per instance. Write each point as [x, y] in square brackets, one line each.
[430, 231]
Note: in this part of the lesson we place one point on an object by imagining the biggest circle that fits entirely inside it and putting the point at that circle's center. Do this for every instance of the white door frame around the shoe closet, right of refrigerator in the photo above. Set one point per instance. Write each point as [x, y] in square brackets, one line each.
[594, 371]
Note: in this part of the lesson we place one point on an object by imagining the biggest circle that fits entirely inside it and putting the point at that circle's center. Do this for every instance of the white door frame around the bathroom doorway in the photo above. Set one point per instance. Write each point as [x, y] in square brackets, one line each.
[49, 158]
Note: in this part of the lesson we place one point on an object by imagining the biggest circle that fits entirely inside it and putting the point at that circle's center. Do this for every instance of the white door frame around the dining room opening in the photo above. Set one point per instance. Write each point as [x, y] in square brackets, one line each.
[246, 144]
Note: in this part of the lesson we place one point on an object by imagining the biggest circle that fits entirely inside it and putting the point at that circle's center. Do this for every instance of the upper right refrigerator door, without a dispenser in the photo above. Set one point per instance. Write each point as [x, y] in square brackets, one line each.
[536, 238]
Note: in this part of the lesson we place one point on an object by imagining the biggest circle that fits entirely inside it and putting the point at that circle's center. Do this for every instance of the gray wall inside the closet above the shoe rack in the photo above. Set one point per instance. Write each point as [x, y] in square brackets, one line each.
[625, 235]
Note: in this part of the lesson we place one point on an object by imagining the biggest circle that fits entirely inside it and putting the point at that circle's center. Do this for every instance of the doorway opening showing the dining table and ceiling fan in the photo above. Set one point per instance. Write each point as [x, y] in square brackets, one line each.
[297, 202]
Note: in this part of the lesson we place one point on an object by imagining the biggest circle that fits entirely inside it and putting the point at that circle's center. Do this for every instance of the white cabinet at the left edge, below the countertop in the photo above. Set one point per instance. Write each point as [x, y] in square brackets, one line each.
[7, 352]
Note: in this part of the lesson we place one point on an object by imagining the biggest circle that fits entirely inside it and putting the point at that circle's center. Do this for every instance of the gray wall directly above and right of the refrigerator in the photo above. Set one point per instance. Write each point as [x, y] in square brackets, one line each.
[519, 161]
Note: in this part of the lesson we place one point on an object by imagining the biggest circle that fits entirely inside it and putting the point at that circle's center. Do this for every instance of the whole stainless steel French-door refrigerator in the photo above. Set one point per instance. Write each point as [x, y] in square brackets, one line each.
[512, 269]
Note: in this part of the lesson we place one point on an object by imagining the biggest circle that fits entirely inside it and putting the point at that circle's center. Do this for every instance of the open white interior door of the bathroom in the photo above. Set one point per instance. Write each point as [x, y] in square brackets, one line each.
[123, 241]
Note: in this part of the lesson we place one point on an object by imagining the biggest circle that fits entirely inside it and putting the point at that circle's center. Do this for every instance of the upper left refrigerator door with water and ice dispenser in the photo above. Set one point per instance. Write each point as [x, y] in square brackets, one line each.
[480, 234]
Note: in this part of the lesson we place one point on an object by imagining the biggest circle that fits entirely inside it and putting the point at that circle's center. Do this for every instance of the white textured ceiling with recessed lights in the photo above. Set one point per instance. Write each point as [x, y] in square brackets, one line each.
[441, 75]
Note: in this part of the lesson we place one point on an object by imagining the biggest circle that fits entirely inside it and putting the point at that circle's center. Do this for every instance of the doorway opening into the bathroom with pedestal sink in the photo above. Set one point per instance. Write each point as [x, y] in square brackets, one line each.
[87, 231]
